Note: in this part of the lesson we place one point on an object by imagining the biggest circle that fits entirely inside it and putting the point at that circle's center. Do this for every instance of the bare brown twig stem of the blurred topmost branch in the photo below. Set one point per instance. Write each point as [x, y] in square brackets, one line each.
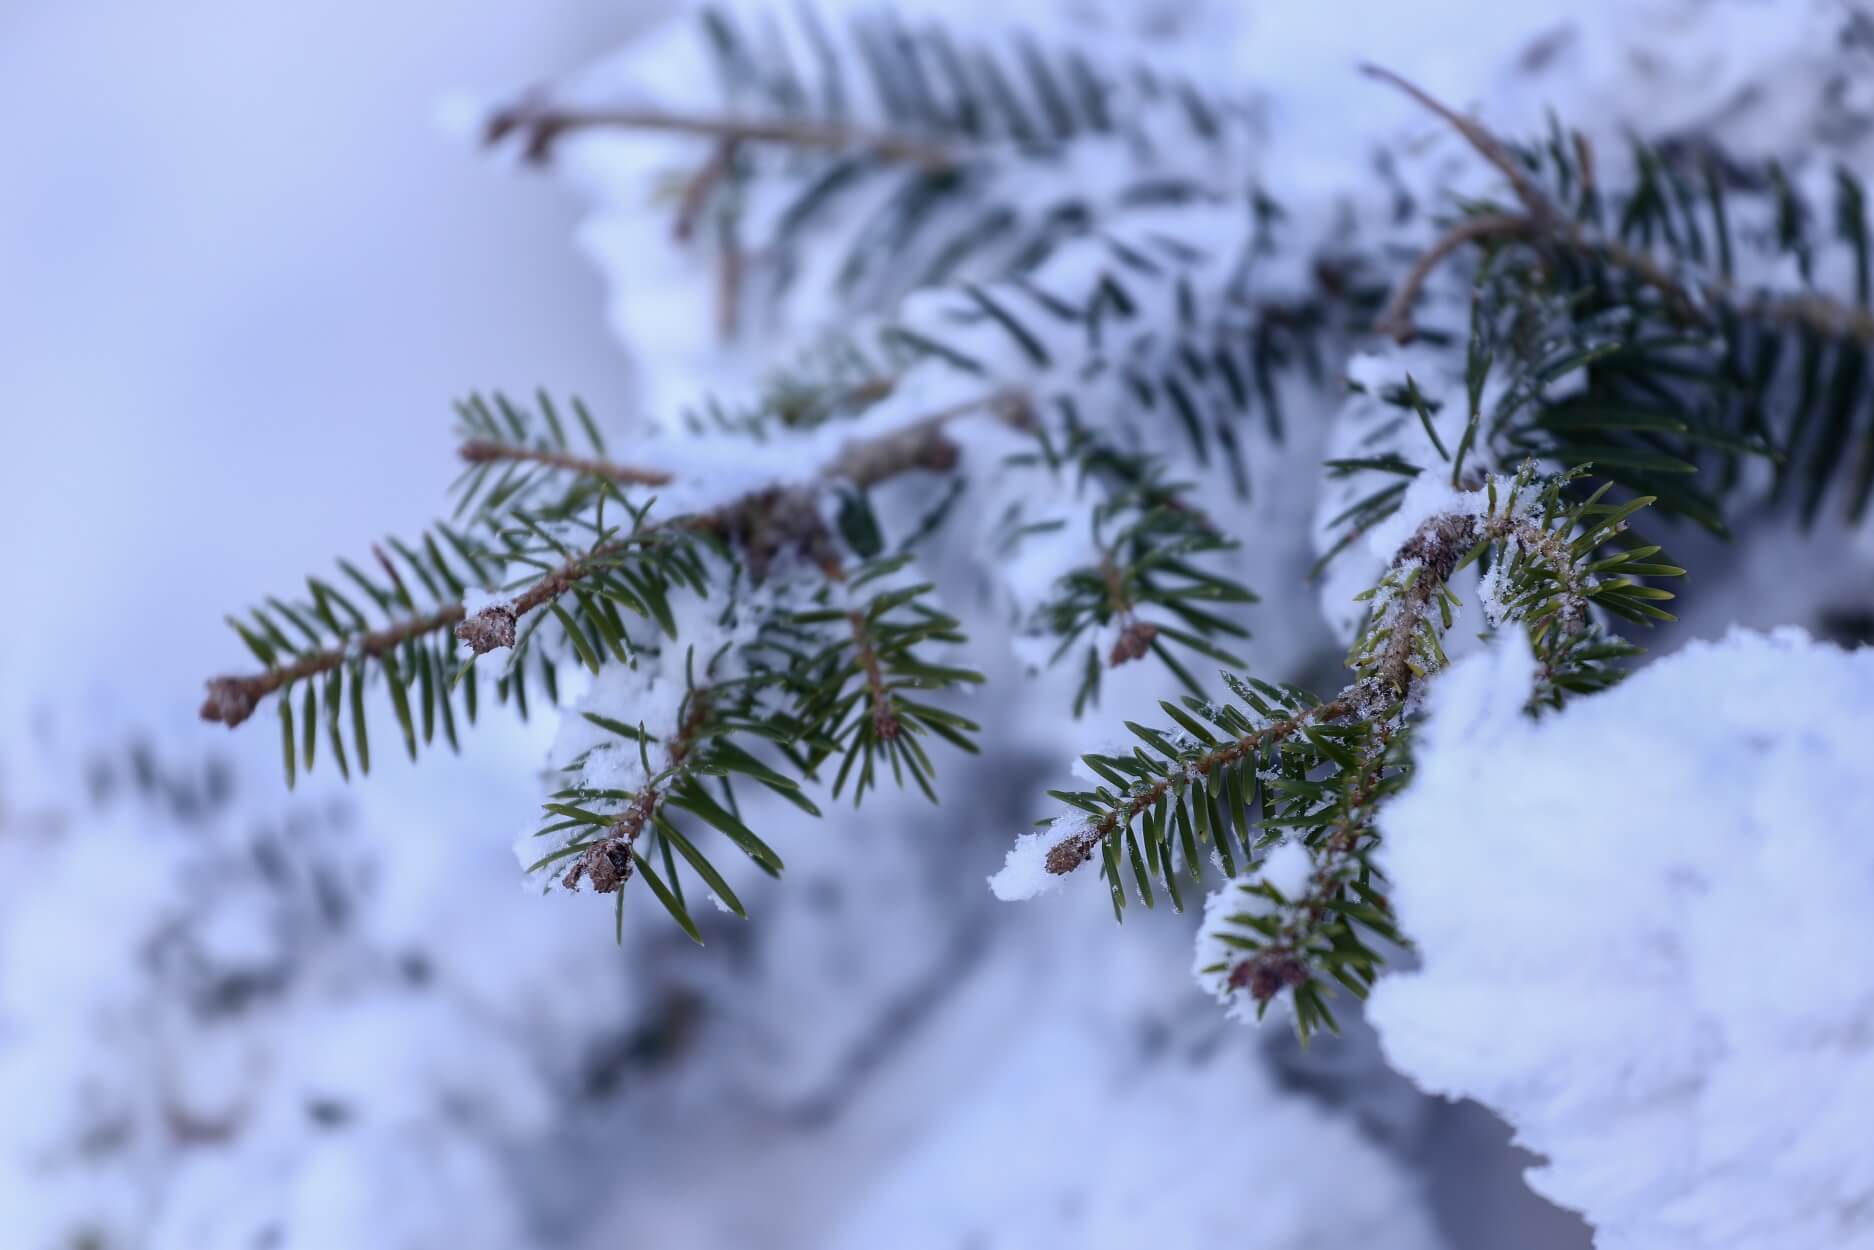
[544, 125]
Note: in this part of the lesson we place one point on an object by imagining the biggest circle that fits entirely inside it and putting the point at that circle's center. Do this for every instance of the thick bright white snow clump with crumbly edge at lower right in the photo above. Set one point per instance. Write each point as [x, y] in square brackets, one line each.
[1644, 927]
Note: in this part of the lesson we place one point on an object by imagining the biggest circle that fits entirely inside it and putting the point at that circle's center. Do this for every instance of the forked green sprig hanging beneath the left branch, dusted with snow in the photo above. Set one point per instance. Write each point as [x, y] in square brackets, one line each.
[788, 692]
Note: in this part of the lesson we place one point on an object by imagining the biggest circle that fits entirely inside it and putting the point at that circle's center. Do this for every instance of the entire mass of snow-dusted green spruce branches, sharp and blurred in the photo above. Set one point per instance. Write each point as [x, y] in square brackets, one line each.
[1564, 361]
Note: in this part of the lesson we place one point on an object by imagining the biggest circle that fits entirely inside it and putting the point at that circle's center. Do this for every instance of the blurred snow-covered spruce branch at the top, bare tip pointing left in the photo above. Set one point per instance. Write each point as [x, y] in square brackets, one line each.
[947, 136]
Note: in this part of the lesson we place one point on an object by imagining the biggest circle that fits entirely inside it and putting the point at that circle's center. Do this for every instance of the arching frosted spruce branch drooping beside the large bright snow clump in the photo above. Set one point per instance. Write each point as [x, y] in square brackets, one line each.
[1285, 767]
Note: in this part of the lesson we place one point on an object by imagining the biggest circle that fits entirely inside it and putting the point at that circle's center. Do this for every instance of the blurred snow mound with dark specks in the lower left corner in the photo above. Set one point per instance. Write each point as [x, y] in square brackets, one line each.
[231, 1022]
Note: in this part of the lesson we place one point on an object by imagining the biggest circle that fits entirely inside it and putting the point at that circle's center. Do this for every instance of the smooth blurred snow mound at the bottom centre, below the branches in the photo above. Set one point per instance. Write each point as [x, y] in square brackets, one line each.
[1073, 1140]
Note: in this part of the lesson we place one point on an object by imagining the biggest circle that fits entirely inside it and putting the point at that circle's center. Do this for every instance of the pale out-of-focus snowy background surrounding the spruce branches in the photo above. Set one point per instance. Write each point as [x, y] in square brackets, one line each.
[243, 273]
